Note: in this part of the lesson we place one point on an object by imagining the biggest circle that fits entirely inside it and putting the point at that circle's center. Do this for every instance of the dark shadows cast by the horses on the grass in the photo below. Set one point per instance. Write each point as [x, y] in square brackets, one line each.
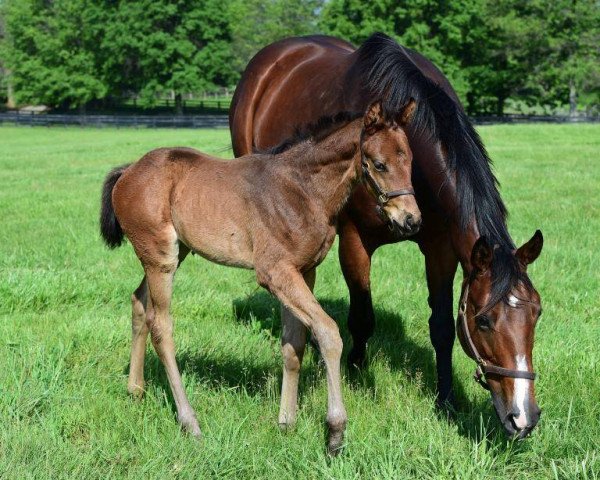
[389, 341]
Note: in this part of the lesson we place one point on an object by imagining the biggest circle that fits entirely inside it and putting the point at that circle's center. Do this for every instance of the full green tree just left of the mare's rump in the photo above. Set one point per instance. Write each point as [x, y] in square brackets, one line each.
[158, 46]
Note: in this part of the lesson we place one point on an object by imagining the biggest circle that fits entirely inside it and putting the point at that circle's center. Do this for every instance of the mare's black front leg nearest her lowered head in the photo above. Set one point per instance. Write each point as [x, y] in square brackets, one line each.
[440, 265]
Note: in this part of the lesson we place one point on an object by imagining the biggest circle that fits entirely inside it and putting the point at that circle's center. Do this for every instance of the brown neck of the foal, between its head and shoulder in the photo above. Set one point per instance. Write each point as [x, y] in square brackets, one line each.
[333, 167]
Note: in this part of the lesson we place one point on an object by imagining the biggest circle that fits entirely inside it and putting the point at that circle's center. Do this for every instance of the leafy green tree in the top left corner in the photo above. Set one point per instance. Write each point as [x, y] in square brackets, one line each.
[51, 51]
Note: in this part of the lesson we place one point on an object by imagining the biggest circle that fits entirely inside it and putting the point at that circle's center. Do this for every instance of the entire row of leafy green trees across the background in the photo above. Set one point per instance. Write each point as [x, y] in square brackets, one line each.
[515, 54]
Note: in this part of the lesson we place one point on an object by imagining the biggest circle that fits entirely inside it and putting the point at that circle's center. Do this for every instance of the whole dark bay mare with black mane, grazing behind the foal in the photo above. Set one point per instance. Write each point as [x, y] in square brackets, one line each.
[294, 81]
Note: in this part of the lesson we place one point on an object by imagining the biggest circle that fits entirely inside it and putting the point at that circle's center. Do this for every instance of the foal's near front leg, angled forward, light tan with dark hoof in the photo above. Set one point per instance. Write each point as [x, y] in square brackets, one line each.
[288, 285]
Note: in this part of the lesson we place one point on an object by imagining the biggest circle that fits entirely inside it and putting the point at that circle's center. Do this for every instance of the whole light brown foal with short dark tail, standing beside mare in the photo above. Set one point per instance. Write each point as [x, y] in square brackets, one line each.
[274, 213]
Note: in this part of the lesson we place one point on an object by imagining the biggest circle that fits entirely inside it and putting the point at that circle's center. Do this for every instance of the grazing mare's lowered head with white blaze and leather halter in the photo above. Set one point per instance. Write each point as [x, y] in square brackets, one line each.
[498, 312]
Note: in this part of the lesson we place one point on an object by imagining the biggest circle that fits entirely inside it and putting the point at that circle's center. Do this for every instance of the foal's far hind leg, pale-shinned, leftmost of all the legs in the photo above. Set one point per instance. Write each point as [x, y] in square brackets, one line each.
[139, 332]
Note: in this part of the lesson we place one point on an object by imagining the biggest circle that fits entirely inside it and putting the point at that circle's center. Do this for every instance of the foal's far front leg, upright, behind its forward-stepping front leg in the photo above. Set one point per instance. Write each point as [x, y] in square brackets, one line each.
[293, 342]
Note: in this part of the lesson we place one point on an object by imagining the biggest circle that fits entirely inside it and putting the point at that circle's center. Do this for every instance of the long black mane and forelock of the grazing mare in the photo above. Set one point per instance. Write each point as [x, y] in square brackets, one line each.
[386, 71]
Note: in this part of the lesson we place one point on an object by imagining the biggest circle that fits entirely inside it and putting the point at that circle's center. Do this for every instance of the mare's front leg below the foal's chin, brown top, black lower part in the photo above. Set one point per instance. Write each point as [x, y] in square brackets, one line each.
[355, 260]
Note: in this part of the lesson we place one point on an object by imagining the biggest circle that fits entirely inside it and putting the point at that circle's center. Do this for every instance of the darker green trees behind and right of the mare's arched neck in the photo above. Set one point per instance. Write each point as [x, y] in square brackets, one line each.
[527, 50]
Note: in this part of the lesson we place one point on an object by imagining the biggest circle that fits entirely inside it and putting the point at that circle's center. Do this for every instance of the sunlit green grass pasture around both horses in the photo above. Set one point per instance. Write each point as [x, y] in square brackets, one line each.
[65, 334]
